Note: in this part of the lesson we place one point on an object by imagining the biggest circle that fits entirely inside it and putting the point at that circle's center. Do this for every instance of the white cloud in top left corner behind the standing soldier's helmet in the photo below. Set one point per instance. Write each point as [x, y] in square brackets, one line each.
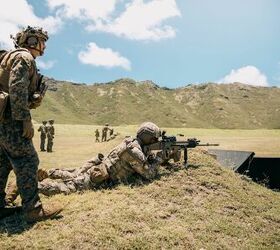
[18, 13]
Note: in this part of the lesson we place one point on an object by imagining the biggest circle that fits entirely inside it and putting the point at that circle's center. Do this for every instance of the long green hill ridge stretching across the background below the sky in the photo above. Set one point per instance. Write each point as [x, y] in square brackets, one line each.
[126, 101]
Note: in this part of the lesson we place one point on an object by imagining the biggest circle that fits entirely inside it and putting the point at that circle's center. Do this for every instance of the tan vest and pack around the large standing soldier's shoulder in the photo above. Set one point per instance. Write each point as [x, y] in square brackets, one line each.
[5, 67]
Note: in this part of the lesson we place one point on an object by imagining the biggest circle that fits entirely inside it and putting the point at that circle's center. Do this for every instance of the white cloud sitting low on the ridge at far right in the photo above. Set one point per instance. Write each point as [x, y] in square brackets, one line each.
[248, 75]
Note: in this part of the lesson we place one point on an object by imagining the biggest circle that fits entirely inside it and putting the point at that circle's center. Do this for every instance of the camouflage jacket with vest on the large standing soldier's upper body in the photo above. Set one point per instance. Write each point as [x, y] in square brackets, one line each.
[18, 77]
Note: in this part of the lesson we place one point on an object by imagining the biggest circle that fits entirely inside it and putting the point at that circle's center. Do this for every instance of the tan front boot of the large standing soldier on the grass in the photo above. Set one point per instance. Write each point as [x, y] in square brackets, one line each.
[41, 213]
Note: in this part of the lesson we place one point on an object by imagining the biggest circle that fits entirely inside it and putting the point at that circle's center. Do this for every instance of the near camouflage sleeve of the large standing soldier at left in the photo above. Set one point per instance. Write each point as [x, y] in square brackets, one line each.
[18, 89]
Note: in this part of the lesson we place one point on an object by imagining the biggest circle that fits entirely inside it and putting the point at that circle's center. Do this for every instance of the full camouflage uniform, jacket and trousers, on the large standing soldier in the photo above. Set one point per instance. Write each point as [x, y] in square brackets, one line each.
[18, 77]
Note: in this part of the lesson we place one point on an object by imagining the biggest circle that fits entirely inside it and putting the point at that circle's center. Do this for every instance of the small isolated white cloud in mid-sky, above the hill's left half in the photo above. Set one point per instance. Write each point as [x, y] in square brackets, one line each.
[104, 57]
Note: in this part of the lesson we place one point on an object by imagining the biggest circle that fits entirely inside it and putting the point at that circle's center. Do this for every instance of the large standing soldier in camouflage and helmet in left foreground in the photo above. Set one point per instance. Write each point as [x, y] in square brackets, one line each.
[19, 78]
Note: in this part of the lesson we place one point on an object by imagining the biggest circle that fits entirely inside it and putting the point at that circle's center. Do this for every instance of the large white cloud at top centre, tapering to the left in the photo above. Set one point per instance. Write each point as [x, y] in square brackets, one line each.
[142, 20]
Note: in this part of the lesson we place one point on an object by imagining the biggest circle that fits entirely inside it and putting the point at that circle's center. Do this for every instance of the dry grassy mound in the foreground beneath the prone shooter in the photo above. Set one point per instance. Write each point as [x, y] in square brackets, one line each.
[203, 207]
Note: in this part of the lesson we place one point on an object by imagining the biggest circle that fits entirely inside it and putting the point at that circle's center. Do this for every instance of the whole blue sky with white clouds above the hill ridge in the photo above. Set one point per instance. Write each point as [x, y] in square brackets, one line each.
[173, 43]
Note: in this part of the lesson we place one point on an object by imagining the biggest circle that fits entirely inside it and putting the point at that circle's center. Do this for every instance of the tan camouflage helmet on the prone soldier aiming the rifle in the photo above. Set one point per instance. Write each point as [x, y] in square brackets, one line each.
[148, 133]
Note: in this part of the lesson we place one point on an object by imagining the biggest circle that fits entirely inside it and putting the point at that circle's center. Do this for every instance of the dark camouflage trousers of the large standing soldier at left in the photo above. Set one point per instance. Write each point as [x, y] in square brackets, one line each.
[18, 154]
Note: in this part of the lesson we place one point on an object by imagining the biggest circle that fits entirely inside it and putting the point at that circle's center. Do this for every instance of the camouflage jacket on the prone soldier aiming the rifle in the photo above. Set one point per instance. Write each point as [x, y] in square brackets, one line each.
[128, 158]
